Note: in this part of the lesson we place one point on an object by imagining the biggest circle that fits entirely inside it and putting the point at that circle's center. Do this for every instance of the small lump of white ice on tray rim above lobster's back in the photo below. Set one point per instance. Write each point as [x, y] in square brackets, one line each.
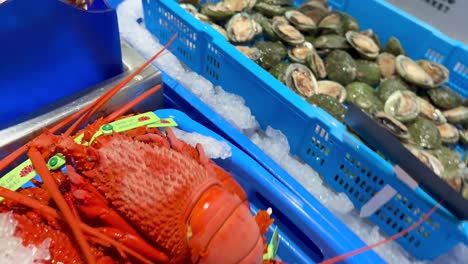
[213, 148]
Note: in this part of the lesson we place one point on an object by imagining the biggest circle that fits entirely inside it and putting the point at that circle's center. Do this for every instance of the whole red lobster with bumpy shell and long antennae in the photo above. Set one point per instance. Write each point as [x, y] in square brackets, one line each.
[139, 196]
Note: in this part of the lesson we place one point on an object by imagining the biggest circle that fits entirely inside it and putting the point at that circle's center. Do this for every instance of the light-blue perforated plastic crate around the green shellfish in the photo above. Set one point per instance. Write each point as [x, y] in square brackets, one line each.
[345, 163]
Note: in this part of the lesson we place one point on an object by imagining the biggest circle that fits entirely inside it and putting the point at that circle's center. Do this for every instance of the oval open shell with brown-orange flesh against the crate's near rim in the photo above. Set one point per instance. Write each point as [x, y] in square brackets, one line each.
[300, 78]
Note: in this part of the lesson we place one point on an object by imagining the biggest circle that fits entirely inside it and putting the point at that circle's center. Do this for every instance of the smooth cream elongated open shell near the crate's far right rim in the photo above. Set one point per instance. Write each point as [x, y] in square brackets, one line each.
[412, 72]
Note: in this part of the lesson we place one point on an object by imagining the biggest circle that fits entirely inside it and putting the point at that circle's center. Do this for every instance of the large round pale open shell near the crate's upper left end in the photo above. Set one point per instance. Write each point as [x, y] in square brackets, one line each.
[242, 28]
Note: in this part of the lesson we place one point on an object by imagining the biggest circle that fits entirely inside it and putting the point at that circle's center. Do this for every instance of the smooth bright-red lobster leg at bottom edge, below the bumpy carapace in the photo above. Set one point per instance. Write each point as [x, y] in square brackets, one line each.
[135, 243]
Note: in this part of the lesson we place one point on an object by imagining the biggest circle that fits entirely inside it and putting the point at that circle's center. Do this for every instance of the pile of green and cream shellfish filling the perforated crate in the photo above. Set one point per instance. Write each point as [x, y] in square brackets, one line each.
[327, 59]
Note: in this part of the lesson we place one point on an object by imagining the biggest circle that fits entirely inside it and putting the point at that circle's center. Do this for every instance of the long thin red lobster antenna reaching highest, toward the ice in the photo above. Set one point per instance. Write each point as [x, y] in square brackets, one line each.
[103, 99]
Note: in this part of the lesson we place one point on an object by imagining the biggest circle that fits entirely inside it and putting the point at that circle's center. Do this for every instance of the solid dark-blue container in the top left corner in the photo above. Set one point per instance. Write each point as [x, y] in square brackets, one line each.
[48, 45]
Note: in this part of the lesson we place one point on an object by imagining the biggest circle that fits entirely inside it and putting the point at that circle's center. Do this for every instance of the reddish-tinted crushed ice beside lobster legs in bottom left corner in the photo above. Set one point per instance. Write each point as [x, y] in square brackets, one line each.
[12, 249]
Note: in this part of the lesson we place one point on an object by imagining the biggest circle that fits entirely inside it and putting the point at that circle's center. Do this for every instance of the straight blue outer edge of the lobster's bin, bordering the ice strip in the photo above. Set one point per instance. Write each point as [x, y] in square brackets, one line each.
[330, 234]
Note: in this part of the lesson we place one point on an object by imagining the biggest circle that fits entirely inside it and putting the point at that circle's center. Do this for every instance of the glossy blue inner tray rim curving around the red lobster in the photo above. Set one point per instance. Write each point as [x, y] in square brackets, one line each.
[298, 223]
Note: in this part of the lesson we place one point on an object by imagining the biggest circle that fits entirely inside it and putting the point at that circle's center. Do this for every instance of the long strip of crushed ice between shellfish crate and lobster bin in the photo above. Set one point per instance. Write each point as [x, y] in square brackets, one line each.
[271, 141]
